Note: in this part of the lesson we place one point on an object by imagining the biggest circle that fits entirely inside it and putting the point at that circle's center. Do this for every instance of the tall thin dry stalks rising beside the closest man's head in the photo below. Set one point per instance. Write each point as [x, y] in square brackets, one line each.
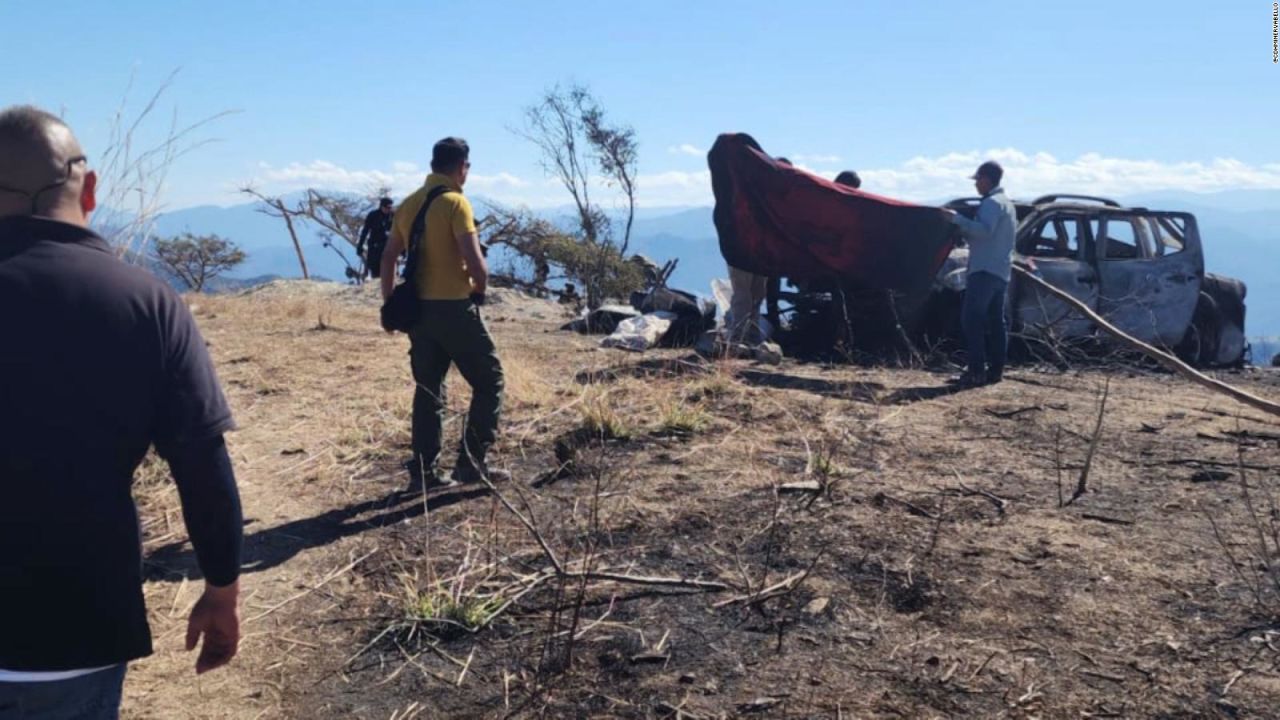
[132, 175]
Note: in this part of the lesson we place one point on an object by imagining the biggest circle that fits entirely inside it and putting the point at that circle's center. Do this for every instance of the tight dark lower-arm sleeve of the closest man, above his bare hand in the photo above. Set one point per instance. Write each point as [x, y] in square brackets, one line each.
[211, 508]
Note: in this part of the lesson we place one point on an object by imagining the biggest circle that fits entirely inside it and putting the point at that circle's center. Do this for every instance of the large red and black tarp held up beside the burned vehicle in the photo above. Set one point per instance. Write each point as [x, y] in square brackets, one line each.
[775, 221]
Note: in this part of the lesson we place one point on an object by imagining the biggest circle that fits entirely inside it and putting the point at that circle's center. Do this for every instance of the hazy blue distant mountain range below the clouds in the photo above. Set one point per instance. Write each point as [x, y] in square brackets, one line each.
[1241, 231]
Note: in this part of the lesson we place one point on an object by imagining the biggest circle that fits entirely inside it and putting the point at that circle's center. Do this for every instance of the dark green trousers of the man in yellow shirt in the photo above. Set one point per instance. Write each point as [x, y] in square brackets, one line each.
[451, 332]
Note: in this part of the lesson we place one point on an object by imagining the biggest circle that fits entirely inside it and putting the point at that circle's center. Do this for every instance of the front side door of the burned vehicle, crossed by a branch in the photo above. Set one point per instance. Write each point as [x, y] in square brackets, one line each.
[1060, 248]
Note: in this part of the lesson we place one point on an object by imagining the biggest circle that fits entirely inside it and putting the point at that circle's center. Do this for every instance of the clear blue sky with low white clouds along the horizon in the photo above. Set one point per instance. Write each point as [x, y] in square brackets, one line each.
[1075, 97]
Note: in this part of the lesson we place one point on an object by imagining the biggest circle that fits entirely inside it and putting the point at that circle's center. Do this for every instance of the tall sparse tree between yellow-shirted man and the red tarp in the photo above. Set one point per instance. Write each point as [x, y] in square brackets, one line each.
[570, 129]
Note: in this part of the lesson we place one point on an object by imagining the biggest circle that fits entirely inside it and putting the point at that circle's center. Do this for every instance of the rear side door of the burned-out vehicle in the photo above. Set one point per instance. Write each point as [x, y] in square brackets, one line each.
[1150, 270]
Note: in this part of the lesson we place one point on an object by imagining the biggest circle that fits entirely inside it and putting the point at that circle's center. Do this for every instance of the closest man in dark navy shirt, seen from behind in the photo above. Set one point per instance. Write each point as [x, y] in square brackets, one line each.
[99, 362]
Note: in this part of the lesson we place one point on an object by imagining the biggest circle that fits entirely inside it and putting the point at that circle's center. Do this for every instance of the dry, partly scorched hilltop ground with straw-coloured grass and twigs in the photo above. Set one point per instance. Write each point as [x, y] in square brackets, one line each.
[796, 541]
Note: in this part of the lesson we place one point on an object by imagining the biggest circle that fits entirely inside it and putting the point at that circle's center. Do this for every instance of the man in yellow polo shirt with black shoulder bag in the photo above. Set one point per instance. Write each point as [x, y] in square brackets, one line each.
[452, 279]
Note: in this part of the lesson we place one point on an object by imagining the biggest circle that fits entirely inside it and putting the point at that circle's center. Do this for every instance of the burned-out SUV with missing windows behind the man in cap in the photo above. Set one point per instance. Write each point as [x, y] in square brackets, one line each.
[1141, 270]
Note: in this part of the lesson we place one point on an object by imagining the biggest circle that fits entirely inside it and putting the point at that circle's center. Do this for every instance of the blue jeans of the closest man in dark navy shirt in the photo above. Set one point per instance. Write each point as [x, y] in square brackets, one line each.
[89, 698]
